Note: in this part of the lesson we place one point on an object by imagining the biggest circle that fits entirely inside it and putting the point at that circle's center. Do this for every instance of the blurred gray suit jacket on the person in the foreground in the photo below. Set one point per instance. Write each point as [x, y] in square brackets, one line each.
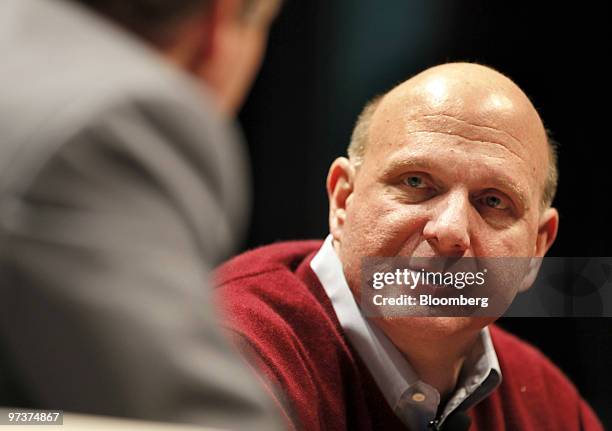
[120, 188]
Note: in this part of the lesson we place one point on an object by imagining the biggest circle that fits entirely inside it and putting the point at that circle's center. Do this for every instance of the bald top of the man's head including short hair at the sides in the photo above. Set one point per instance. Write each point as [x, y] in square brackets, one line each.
[469, 101]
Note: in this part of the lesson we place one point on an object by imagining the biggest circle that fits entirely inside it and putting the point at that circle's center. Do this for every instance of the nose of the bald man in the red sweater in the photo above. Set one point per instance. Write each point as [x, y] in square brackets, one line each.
[447, 231]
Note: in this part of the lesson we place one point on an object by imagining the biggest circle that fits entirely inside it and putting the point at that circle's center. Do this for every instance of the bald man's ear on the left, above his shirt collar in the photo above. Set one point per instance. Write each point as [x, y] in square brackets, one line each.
[340, 183]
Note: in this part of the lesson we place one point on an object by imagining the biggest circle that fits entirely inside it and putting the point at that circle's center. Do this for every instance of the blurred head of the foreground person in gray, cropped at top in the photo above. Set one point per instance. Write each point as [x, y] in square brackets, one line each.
[220, 42]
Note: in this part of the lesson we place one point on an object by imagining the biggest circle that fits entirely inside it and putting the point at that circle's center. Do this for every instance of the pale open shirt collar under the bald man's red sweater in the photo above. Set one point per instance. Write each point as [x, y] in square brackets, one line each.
[413, 401]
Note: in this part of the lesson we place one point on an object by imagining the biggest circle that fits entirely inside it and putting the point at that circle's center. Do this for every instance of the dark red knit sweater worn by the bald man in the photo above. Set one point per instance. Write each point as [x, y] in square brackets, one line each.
[278, 311]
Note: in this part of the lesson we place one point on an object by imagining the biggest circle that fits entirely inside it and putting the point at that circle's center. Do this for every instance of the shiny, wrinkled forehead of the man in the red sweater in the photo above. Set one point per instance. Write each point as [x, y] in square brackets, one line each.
[484, 109]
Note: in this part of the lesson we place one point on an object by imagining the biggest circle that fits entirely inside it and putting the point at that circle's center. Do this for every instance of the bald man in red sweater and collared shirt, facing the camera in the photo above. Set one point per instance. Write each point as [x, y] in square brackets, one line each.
[453, 163]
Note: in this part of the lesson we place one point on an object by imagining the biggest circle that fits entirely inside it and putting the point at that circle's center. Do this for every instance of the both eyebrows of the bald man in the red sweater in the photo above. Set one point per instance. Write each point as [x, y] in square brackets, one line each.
[428, 166]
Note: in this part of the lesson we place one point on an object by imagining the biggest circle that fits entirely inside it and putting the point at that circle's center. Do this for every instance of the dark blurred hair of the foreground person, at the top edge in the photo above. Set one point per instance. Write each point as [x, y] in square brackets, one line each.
[154, 20]
